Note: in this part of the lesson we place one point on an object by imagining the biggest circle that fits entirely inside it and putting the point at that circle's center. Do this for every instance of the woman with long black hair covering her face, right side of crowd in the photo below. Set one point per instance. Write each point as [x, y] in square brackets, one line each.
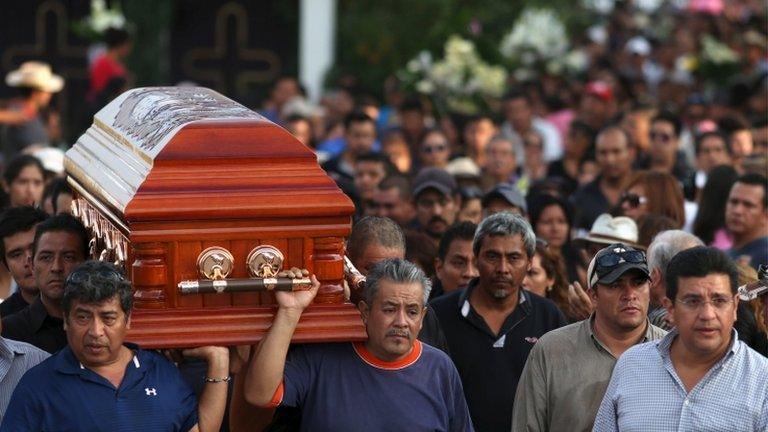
[709, 224]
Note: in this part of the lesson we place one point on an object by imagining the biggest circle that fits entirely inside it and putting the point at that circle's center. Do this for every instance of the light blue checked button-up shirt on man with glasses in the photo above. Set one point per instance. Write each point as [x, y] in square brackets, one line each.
[646, 393]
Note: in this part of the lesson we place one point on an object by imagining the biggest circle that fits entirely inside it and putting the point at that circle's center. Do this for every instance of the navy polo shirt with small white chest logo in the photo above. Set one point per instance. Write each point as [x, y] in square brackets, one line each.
[61, 394]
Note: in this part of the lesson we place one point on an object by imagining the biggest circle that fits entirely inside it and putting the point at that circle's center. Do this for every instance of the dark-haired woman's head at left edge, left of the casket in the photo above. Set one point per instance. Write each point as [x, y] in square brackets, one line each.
[24, 181]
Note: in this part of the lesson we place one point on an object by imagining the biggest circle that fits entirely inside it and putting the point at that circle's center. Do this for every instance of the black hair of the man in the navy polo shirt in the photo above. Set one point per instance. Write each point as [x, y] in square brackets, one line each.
[94, 282]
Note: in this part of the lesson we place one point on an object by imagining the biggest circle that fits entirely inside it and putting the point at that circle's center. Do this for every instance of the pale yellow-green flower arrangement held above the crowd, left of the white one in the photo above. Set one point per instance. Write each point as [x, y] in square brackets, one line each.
[460, 82]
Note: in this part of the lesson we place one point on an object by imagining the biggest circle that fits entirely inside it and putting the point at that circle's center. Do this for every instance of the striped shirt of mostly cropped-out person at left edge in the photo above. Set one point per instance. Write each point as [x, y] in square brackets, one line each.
[15, 359]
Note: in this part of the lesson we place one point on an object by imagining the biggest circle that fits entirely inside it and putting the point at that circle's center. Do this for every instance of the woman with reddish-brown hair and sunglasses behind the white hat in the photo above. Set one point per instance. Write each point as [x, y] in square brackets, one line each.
[651, 192]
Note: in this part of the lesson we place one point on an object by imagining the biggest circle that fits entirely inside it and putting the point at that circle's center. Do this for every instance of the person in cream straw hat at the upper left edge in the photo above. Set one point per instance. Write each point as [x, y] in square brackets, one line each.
[37, 84]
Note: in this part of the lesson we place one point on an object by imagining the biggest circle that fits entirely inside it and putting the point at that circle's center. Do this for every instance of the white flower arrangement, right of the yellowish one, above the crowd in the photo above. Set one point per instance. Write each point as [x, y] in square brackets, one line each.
[538, 43]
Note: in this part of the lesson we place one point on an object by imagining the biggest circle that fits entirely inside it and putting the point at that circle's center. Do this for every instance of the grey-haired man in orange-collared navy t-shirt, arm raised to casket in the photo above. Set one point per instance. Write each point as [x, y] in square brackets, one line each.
[389, 382]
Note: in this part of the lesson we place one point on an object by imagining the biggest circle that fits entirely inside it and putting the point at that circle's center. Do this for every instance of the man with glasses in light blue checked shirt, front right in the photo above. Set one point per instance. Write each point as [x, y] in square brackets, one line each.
[700, 376]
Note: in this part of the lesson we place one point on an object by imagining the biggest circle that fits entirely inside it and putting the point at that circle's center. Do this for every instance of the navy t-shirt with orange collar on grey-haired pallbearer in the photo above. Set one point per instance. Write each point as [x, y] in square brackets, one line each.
[343, 387]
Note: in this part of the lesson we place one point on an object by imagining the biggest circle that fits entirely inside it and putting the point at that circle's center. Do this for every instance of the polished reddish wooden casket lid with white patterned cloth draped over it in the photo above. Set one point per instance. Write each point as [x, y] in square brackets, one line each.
[180, 153]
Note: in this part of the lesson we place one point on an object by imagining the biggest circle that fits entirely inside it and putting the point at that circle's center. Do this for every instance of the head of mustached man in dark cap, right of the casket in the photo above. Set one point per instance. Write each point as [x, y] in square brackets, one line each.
[436, 198]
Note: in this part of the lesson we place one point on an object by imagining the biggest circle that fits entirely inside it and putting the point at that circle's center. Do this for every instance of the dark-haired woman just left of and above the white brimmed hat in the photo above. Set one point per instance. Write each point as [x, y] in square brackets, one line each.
[551, 219]
